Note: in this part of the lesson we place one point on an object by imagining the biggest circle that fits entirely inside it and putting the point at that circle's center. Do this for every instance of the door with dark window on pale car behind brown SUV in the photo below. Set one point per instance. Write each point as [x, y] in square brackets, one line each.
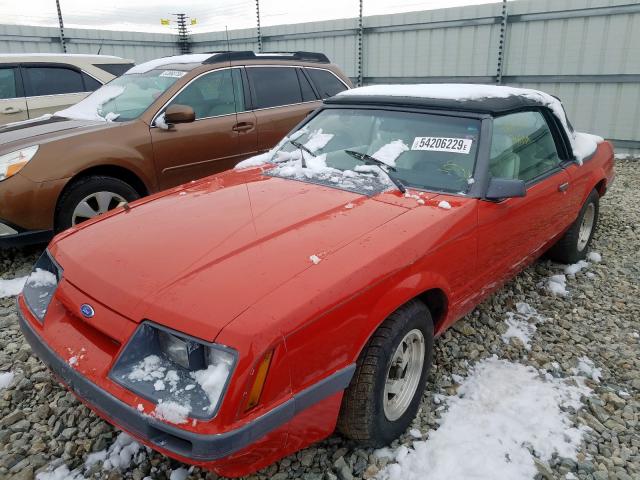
[51, 87]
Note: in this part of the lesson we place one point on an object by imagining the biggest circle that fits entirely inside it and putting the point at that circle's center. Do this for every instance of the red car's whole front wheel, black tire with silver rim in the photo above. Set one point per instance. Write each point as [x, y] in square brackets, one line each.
[370, 413]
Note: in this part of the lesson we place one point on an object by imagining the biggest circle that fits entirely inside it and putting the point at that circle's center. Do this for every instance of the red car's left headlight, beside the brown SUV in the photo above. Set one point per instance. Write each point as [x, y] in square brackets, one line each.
[41, 284]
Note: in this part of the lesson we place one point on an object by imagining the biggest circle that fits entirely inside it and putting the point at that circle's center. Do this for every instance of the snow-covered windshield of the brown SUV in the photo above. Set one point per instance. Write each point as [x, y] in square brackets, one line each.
[125, 97]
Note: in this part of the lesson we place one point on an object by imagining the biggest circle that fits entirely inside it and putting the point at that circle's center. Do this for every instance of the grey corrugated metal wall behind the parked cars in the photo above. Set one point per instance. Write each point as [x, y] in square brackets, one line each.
[585, 51]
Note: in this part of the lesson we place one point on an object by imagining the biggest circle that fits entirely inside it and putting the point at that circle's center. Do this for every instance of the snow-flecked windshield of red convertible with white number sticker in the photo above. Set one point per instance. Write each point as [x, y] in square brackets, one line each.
[344, 148]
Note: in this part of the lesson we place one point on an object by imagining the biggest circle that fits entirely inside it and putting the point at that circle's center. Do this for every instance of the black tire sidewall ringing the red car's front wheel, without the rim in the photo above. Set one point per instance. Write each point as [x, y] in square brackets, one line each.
[385, 431]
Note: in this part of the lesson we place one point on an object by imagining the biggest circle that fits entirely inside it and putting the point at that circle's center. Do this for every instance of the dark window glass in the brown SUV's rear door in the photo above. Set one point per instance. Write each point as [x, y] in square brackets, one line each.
[274, 86]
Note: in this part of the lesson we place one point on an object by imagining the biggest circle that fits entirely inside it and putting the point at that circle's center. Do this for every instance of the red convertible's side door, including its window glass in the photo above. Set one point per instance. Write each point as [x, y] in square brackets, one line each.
[514, 231]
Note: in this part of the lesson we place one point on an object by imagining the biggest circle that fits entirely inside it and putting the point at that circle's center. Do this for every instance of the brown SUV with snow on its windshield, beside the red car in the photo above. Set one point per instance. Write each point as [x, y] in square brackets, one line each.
[161, 124]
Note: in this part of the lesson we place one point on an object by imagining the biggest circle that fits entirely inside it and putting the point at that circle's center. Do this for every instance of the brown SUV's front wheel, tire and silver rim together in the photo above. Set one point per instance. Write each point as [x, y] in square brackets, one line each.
[90, 197]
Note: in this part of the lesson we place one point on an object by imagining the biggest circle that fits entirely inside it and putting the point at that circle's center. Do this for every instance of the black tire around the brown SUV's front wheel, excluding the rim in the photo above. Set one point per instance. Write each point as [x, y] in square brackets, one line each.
[85, 187]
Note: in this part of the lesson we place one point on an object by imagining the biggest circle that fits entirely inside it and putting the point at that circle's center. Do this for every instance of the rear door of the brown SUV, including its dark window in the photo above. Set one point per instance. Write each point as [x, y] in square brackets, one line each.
[282, 96]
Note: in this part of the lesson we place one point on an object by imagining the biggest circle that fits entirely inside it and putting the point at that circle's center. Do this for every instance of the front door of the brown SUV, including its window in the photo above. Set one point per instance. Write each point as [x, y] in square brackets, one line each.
[222, 134]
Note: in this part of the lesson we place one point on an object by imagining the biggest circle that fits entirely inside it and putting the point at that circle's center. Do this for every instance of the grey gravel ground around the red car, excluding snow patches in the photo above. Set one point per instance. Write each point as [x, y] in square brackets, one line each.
[41, 425]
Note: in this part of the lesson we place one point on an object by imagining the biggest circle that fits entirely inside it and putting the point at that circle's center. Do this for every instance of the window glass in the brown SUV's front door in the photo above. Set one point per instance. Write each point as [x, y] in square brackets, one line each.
[214, 94]
